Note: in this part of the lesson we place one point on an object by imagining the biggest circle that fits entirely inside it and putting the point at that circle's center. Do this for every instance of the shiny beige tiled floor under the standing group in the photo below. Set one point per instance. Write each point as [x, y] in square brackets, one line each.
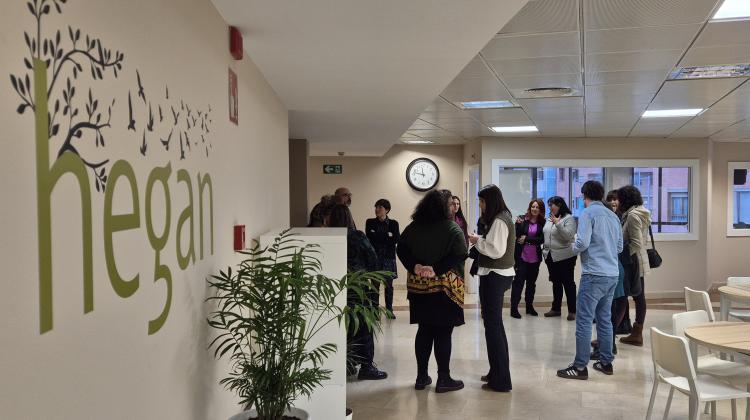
[538, 347]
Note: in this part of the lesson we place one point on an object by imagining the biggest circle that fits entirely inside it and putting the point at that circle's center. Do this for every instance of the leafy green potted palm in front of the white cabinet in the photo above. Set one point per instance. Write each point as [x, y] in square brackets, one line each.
[268, 309]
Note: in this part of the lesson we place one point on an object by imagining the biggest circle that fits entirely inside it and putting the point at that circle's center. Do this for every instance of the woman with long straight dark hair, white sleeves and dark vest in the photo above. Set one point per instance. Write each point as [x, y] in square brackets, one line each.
[495, 257]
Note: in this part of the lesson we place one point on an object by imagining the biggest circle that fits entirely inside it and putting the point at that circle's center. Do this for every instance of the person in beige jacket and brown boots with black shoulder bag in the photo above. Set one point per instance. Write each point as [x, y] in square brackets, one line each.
[636, 222]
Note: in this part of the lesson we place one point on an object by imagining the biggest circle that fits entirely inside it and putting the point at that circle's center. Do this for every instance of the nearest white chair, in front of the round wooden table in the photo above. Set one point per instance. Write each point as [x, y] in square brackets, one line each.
[671, 357]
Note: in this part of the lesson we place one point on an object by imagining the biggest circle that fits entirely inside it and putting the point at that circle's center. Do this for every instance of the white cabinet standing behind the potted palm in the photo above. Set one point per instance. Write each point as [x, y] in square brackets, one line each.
[328, 402]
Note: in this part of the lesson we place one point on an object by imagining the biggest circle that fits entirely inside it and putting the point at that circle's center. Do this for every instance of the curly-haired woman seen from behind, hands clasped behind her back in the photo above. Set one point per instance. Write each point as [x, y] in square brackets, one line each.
[433, 251]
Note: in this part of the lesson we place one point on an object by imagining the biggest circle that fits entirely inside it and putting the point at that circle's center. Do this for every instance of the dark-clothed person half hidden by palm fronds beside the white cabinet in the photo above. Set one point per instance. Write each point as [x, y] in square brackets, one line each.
[360, 255]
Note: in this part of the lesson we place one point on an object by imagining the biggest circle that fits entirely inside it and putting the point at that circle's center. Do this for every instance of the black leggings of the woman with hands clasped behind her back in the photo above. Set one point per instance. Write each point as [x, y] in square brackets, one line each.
[439, 337]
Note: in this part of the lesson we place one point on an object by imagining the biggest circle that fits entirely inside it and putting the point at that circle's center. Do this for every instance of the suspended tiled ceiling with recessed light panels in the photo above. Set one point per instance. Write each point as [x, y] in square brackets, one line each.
[616, 55]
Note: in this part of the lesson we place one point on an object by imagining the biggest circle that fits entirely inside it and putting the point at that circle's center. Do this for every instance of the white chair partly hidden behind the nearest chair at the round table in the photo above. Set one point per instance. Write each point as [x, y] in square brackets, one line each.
[725, 370]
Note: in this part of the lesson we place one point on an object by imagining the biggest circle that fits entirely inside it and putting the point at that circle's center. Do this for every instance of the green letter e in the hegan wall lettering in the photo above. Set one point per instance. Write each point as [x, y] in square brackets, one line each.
[119, 222]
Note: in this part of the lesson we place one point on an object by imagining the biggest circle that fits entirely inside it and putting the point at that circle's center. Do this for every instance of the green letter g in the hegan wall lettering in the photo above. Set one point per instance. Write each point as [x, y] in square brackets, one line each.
[159, 242]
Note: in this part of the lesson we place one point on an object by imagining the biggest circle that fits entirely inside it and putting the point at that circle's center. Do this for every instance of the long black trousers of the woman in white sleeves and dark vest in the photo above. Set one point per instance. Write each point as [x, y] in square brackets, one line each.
[492, 289]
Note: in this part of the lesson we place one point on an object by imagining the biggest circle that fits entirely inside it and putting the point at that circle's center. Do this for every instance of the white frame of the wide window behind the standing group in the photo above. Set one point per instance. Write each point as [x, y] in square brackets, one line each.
[694, 191]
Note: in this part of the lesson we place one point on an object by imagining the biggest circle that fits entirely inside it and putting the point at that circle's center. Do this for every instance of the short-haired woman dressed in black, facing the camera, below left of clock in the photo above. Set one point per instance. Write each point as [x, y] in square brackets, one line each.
[383, 234]
